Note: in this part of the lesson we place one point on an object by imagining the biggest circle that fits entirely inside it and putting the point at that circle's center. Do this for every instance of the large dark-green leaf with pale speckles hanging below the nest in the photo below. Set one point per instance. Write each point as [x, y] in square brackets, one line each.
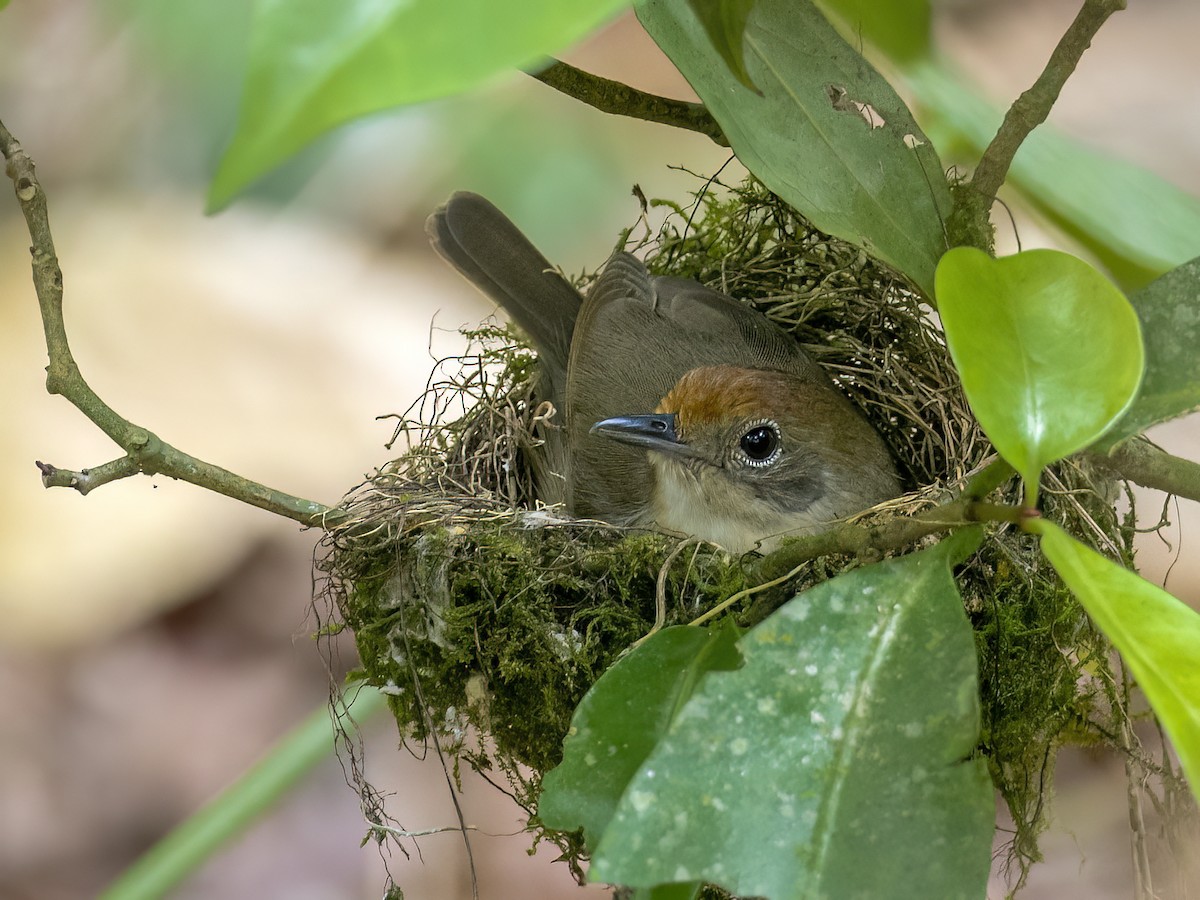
[835, 763]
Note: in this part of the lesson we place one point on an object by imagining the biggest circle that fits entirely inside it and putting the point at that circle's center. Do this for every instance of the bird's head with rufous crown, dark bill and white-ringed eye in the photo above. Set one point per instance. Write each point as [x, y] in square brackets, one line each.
[742, 457]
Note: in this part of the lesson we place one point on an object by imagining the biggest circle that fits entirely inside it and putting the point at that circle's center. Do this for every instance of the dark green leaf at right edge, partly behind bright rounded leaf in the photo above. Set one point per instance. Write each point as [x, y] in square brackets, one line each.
[1169, 311]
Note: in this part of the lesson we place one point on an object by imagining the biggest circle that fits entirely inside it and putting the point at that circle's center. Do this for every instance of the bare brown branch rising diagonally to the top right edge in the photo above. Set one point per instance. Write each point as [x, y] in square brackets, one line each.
[974, 202]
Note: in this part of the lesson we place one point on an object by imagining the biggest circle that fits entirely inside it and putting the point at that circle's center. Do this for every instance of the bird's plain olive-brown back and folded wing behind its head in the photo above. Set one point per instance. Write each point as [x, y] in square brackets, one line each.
[634, 339]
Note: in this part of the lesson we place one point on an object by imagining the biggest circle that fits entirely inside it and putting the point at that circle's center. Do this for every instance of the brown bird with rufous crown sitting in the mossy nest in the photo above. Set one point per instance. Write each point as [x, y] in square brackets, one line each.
[683, 410]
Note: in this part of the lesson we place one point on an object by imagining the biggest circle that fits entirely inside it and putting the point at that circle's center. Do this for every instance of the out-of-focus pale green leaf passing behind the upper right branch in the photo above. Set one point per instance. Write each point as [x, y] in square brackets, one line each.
[1137, 224]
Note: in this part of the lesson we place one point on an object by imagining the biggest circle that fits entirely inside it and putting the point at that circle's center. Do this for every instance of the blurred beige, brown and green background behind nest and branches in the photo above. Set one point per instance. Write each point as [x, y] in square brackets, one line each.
[155, 639]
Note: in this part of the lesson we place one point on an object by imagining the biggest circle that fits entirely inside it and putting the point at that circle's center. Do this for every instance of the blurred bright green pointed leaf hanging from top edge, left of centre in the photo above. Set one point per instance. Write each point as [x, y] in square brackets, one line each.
[316, 65]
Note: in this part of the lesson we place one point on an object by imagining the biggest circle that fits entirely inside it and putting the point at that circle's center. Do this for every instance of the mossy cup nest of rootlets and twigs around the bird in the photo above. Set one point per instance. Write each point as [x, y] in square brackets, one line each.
[487, 616]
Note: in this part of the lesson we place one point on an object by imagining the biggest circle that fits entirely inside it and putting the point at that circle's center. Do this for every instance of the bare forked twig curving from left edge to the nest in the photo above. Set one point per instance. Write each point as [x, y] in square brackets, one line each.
[145, 452]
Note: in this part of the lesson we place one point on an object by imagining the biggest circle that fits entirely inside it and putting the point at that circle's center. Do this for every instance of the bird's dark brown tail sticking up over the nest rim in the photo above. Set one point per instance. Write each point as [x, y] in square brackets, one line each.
[483, 244]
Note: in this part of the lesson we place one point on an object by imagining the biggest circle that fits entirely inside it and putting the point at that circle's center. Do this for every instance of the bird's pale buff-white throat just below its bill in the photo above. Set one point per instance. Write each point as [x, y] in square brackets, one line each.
[707, 503]
